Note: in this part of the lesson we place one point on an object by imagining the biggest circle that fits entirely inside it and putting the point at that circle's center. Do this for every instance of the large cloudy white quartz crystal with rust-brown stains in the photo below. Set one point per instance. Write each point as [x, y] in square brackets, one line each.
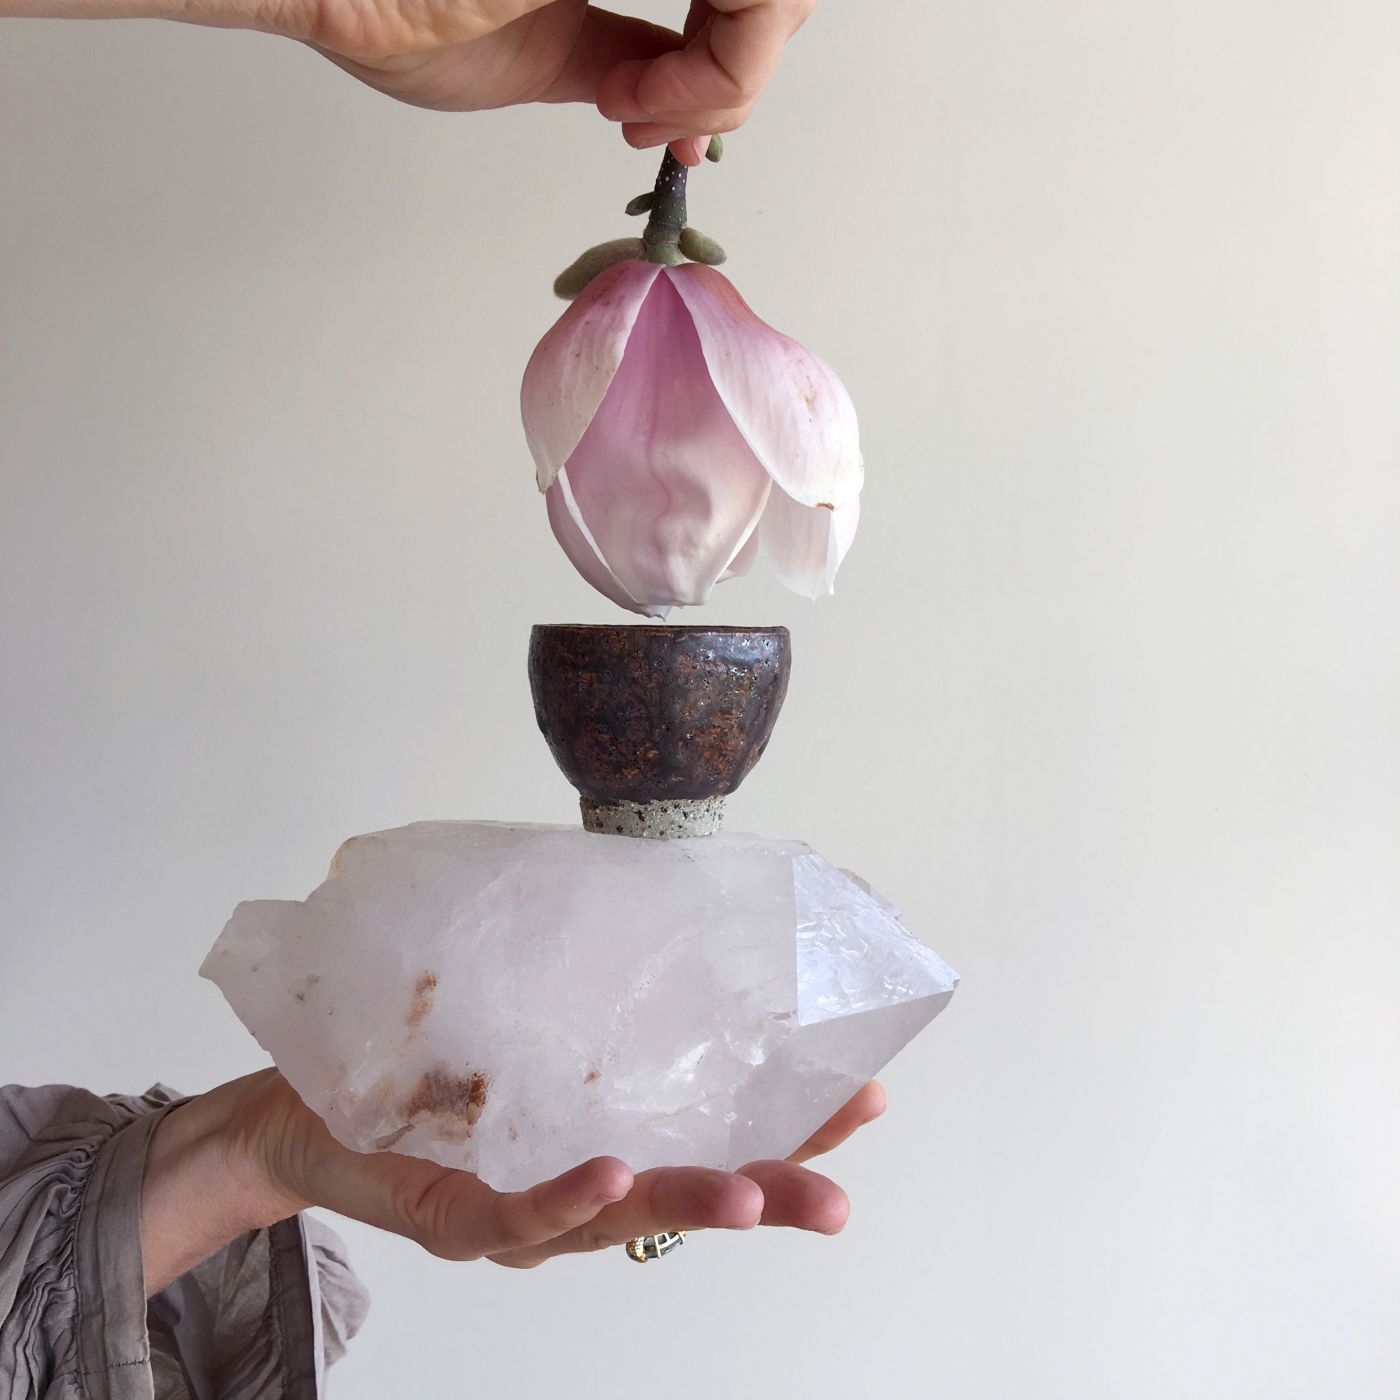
[514, 1000]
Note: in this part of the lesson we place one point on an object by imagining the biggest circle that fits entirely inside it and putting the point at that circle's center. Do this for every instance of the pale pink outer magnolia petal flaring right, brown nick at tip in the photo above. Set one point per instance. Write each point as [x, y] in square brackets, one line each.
[789, 405]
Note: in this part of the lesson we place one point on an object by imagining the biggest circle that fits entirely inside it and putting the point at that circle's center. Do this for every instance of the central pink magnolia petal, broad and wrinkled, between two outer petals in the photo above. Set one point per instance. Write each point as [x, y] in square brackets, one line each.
[664, 481]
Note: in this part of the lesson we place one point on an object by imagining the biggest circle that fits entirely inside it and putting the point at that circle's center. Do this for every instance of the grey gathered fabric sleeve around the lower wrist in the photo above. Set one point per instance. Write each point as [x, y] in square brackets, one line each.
[261, 1319]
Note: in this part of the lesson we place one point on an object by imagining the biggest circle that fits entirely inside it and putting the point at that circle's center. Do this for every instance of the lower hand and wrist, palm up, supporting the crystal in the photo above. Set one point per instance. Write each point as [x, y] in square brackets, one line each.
[251, 1153]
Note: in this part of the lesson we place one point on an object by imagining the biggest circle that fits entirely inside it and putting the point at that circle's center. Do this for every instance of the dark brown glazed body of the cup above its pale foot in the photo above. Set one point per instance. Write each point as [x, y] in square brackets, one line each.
[652, 715]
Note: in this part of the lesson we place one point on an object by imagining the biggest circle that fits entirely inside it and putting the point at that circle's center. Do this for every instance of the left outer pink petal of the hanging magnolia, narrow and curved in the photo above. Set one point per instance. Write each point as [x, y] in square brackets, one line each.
[572, 369]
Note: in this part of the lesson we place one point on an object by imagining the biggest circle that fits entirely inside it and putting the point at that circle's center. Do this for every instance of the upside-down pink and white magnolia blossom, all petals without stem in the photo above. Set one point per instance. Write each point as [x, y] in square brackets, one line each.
[674, 433]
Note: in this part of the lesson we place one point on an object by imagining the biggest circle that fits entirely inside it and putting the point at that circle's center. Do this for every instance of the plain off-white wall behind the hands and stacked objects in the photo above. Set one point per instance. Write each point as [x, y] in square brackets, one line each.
[1109, 699]
